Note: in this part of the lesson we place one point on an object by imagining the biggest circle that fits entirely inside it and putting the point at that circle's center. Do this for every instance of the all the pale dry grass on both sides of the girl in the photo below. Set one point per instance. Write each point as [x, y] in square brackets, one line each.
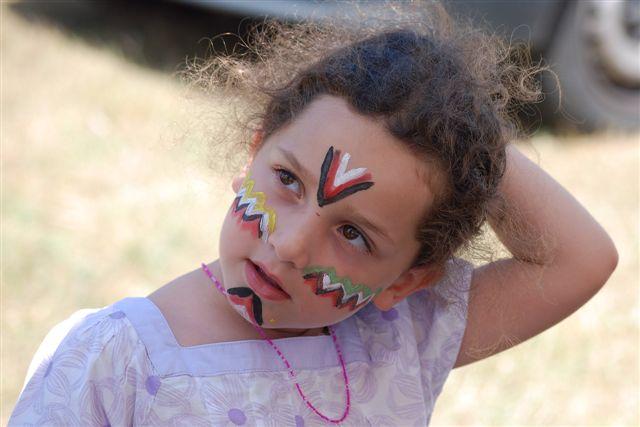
[106, 194]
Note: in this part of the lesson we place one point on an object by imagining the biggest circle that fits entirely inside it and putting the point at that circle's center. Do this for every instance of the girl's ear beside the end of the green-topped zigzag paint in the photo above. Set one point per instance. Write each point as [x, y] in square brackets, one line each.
[410, 281]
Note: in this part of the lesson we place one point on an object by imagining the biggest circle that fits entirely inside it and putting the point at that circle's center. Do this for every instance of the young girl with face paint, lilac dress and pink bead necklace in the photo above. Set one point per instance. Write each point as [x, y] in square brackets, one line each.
[339, 295]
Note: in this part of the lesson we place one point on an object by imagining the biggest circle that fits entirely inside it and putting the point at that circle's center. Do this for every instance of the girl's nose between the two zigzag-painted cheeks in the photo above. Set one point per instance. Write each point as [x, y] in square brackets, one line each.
[292, 239]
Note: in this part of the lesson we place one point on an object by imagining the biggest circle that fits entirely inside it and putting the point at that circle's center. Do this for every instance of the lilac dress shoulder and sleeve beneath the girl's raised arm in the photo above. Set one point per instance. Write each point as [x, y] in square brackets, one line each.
[426, 327]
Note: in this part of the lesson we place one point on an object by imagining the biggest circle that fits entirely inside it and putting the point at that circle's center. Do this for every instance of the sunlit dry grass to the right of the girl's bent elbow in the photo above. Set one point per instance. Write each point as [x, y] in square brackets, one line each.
[584, 371]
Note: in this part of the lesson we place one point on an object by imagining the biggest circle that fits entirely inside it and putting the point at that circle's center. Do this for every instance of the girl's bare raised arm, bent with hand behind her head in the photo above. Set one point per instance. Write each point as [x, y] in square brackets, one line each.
[514, 299]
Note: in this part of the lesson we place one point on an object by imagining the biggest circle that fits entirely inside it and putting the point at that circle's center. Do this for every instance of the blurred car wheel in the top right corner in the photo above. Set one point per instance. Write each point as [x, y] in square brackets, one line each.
[590, 97]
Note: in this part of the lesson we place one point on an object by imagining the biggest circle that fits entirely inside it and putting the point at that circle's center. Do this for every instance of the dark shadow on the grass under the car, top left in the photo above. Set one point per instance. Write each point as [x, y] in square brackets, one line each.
[158, 35]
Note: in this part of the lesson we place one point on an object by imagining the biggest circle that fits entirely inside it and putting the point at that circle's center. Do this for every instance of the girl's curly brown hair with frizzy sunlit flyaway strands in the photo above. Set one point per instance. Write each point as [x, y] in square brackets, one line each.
[448, 91]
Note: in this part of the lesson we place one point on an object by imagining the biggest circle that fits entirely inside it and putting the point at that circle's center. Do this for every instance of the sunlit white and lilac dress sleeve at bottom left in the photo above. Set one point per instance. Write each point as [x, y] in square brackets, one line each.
[84, 373]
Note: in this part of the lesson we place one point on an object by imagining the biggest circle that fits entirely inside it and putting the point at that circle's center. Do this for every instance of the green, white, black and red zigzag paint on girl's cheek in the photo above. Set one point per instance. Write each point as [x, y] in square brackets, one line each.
[325, 281]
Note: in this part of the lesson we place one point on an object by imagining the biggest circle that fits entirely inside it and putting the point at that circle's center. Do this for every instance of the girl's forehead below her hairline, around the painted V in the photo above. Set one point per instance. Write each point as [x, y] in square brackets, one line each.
[399, 194]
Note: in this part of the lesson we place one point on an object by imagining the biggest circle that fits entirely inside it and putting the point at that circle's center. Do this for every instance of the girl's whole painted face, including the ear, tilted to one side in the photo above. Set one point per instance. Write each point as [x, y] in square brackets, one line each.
[324, 221]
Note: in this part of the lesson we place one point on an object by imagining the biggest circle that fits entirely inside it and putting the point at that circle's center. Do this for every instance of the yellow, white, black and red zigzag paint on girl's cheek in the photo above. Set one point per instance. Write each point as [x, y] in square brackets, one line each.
[250, 209]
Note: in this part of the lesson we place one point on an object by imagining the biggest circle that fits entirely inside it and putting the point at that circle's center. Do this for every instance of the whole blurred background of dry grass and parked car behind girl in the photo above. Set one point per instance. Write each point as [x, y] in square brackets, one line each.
[107, 191]
